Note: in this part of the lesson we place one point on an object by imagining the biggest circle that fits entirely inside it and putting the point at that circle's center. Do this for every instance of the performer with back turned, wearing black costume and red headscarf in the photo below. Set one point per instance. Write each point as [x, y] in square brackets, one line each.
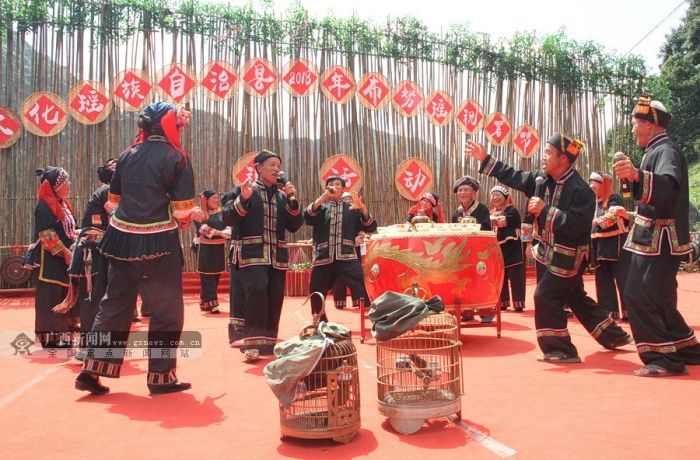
[151, 194]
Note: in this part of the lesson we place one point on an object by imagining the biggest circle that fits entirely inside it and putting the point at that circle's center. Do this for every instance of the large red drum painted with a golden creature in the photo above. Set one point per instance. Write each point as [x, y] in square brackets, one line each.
[450, 262]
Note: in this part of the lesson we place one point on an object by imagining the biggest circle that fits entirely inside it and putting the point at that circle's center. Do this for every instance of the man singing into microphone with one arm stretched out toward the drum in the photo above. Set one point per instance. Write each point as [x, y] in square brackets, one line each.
[563, 214]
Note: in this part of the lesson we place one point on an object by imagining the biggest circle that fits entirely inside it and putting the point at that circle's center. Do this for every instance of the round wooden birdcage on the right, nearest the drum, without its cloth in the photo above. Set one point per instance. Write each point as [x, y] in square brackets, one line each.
[419, 373]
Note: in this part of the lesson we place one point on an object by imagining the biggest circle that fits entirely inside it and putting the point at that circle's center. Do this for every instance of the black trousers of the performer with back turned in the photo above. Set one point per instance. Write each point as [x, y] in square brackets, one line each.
[117, 309]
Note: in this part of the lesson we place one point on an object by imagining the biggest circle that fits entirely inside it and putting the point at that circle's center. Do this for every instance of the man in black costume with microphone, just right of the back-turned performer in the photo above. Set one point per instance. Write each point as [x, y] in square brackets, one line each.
[261, 212]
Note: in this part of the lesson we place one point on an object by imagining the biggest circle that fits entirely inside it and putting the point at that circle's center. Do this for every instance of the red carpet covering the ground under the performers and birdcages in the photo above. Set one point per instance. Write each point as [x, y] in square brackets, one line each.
[512, 405]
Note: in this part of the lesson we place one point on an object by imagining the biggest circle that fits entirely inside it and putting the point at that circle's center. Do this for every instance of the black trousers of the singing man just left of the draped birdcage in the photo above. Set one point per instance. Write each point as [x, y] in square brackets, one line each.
[263, 290]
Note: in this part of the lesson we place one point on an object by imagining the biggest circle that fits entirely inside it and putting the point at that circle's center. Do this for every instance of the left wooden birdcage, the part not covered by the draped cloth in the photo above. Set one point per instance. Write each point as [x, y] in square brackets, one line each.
[327, 400]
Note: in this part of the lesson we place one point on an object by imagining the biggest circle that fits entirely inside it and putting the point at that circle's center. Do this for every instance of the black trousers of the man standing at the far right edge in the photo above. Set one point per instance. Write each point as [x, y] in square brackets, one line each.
[651, 294]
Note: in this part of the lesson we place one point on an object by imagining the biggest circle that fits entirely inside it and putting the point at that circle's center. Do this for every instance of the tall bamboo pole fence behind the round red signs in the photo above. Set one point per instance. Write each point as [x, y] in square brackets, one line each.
[304, 130]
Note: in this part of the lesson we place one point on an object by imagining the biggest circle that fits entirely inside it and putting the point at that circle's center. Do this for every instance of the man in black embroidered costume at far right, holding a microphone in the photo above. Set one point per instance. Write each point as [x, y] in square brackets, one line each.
[658, 240]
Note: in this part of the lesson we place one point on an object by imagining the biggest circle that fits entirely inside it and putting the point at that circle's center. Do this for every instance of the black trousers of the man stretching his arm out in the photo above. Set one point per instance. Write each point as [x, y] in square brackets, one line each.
[551, 294]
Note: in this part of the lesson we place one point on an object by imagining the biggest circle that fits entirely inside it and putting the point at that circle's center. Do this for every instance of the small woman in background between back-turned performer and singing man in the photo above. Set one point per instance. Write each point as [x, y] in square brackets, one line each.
[210, 243]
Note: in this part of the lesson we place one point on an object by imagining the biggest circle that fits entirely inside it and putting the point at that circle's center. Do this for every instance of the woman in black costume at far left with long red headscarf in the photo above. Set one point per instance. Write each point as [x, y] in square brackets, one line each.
[50, 254]
